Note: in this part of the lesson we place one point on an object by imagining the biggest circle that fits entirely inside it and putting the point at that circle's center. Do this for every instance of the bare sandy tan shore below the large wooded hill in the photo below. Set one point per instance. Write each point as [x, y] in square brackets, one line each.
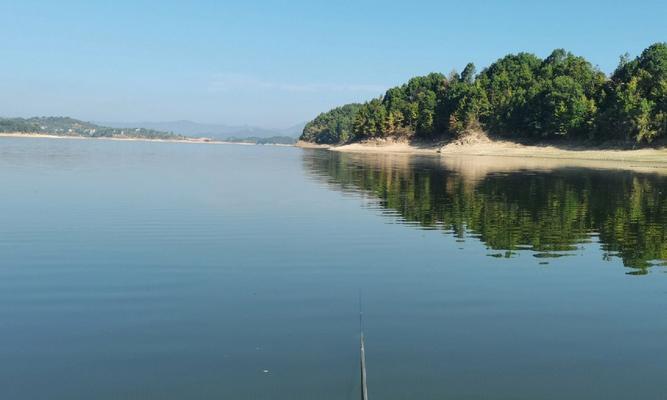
[481, 145]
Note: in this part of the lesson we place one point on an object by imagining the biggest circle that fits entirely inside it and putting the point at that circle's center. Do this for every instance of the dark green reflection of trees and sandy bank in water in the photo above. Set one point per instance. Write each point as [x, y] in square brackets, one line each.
[544, 206]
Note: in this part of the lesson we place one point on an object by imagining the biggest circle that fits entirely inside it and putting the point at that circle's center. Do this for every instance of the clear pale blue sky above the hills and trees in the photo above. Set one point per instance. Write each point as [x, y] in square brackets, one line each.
[277, 63]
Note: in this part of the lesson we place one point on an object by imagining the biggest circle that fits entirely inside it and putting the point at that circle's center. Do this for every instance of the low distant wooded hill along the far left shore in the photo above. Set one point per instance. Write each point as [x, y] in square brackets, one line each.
[65, 126]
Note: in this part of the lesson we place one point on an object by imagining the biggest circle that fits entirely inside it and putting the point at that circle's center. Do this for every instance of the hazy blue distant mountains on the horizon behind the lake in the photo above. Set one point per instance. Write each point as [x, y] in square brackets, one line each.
[213, 131]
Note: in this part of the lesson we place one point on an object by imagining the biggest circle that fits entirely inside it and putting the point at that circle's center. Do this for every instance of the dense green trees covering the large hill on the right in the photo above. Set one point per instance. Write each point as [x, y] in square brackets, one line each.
[519, 95]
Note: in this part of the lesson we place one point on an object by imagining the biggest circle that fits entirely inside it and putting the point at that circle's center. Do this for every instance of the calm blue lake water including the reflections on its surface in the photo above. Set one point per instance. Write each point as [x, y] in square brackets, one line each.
[132, 270]
